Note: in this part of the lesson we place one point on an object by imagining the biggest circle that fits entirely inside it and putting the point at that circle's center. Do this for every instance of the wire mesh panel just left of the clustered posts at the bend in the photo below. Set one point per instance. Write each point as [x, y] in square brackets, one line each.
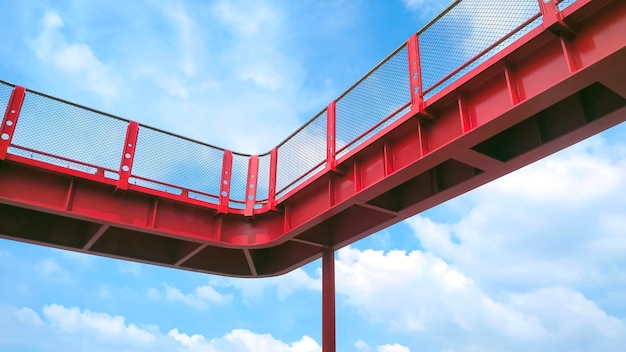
[166, 160]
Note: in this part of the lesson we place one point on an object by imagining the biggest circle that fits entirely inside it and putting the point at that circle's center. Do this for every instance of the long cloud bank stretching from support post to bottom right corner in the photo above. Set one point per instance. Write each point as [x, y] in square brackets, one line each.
[419, 293]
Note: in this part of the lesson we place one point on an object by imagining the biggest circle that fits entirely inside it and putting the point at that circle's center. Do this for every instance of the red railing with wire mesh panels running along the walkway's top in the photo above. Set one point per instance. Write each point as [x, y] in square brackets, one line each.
[83, 142]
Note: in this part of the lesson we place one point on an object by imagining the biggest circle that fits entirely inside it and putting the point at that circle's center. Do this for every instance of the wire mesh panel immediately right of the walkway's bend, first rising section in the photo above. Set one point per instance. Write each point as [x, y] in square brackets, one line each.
[301, 153]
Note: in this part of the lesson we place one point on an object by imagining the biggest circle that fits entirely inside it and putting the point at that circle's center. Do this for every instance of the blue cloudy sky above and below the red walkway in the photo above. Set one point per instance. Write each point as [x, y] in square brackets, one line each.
[531, 262]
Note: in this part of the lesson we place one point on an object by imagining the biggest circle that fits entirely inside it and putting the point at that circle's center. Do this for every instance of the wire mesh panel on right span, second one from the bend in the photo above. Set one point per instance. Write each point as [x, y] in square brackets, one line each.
[378, 96]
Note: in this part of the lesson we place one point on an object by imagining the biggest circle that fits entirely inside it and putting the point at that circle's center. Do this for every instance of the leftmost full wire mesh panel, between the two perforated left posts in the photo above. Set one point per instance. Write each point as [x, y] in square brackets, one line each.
[58, 128]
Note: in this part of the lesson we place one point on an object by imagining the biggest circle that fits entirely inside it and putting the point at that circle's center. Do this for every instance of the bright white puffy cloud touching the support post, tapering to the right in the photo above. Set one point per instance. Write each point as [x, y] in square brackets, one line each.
[418, 292]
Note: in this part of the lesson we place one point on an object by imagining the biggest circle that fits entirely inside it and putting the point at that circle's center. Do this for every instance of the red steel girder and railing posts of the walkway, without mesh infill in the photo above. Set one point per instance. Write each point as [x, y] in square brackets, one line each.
[552, 87]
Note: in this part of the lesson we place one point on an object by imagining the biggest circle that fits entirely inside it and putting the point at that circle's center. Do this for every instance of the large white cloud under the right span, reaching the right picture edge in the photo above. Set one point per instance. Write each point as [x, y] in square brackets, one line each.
[556, 221]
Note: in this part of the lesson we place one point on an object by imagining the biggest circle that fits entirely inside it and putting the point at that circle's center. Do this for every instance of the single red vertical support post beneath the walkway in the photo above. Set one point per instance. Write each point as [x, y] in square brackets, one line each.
[328, 301]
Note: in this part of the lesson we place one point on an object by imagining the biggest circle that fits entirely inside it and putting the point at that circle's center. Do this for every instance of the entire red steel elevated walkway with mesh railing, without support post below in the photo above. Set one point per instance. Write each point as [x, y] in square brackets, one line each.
[486, 88]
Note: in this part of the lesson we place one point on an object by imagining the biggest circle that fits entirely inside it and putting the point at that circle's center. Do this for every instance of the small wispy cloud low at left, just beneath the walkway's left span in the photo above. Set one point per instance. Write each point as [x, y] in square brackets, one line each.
[200, 298]
